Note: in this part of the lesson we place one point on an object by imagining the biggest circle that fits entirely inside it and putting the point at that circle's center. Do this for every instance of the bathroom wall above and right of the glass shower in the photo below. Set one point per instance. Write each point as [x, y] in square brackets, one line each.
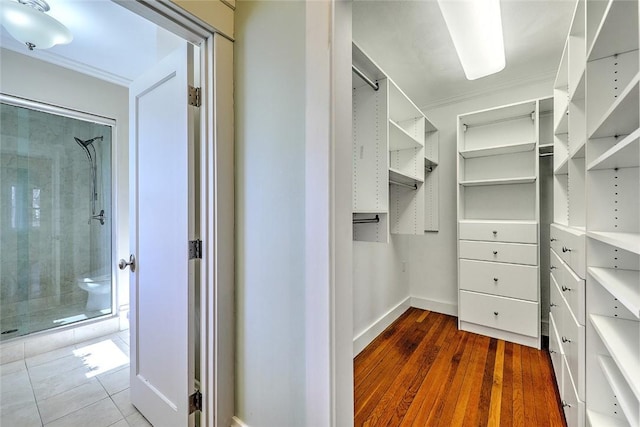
[36, 80]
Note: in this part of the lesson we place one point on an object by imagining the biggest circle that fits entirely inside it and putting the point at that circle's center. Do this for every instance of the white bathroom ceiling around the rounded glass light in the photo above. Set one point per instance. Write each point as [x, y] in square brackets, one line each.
[109, 41]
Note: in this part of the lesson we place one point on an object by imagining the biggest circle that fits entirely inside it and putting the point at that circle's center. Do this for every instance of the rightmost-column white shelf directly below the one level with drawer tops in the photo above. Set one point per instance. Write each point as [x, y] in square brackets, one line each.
[624, 285]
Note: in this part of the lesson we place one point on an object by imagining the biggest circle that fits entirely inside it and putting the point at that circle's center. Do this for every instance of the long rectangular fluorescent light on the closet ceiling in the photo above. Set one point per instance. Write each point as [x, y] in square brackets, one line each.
[476, 29]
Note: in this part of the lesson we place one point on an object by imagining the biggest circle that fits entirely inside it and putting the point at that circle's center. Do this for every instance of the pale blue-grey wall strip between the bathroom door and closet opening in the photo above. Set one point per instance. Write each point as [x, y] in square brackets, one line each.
[270, 213]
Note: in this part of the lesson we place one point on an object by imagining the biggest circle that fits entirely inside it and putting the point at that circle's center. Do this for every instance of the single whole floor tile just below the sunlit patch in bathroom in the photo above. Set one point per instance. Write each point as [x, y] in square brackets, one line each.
[70, 401]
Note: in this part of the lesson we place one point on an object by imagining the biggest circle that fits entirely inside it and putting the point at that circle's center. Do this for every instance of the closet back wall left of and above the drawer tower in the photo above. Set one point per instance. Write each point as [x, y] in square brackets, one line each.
[431, 257]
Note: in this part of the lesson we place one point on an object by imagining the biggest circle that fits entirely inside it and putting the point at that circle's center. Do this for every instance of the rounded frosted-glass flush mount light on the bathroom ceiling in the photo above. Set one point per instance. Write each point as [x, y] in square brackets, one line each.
[28, 23]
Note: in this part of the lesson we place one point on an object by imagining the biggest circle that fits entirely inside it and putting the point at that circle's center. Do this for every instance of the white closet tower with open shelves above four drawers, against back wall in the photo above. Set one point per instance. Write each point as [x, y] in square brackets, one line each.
[498, 223]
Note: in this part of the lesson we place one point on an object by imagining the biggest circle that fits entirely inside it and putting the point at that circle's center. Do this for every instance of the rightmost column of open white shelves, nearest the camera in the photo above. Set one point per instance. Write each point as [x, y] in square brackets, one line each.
[613, 213]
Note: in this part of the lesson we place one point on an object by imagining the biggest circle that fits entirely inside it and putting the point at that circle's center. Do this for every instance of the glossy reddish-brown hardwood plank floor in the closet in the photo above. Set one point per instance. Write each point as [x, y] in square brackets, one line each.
[422, 371]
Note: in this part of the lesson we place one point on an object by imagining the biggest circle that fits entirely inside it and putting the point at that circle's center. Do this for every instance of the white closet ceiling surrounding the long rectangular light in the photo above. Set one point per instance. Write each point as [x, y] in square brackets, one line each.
[410, 42]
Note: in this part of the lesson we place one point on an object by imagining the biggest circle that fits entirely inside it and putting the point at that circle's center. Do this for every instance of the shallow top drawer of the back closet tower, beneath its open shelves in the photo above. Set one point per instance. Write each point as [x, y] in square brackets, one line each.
[494, 231]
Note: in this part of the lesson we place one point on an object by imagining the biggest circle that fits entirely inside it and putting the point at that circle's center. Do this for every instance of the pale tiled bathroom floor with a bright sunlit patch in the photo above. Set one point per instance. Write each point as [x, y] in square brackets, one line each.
[78, 386]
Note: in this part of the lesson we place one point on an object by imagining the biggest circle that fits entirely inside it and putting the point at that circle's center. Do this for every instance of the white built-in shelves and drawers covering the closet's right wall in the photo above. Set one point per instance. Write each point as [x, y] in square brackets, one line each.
[595, 241]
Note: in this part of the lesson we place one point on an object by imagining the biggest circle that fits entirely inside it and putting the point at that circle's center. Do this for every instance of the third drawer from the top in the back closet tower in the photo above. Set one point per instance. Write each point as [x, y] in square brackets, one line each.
[507, 280]
